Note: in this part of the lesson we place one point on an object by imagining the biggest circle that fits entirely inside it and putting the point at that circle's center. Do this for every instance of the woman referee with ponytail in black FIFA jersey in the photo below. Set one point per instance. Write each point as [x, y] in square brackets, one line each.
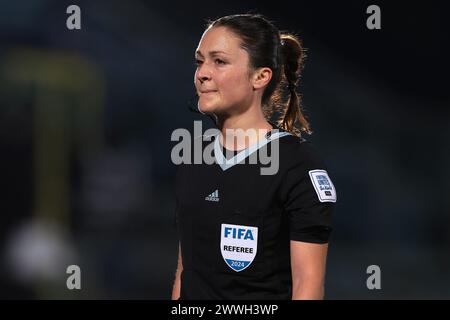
[244, 234]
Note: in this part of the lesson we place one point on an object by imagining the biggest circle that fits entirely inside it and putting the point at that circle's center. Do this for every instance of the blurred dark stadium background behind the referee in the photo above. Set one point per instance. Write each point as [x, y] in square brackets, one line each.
[86, 118]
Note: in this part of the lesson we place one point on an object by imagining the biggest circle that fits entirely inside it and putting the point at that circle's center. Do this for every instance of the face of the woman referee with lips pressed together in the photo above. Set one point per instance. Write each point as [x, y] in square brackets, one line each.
[222, 78]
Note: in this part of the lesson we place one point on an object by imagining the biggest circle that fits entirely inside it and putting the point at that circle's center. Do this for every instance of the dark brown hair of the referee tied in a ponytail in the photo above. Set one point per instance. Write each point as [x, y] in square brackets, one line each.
[281, 52]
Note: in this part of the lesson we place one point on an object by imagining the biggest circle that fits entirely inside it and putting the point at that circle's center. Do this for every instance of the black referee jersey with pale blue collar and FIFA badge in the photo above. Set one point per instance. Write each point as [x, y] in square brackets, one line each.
[235, 224]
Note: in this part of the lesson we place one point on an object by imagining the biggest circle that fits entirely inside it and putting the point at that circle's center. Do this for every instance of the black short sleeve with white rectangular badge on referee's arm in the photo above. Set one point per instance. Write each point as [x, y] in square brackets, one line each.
[309, 196]
